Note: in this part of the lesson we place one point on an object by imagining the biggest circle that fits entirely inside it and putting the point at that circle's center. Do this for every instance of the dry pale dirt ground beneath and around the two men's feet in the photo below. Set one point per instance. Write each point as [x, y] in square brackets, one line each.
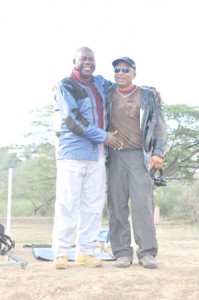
[177, 276]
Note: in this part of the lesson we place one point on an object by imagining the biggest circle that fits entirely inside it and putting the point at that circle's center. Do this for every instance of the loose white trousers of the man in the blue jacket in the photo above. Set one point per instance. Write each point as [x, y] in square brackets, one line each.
[80, 194]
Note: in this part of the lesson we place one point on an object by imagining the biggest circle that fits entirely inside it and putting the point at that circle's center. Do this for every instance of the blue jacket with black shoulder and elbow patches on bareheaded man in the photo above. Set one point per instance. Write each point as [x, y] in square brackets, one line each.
[79, 134]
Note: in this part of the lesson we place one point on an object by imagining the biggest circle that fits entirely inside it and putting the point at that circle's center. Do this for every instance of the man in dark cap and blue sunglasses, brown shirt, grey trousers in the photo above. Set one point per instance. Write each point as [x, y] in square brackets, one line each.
[136, 115]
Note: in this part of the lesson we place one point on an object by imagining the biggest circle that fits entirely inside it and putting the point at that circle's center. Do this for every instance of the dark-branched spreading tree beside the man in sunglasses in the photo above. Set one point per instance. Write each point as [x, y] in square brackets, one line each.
[182, 157]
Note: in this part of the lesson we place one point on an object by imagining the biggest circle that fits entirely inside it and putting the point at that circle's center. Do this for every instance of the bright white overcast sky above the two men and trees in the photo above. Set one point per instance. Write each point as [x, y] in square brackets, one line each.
[39, 37]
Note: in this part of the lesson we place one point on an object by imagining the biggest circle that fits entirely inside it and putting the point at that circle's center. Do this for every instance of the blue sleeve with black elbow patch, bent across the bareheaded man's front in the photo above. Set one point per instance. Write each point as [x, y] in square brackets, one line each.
[74, 120]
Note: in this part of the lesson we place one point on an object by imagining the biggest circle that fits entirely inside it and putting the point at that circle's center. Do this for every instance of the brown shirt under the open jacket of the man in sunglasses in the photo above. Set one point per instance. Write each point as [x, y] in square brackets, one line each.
[125, 118]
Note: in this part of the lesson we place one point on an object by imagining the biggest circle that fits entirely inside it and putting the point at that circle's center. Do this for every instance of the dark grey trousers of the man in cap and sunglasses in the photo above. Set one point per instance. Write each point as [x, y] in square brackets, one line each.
[128, 179]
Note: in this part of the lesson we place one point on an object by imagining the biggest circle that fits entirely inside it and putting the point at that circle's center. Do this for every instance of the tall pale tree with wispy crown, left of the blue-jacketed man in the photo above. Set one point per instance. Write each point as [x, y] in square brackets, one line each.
[34, 178]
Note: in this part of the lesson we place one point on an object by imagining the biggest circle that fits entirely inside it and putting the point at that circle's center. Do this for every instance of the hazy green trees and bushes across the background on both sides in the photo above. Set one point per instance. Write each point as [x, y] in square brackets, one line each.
[34, 177]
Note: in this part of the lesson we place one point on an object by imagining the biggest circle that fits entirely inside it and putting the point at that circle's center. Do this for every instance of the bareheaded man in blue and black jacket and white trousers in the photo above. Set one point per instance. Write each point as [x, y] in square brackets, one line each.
[80, 188]
